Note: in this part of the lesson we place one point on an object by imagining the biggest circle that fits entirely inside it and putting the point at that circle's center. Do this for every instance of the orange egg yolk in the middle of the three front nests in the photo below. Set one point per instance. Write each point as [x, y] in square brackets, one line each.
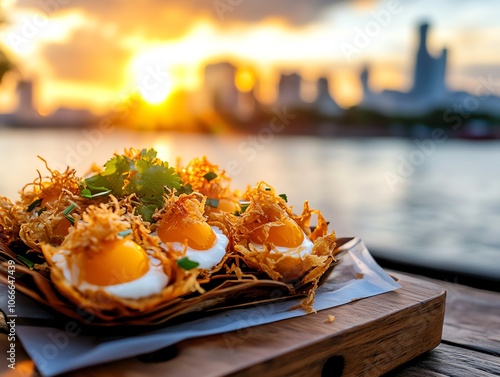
[199, 235]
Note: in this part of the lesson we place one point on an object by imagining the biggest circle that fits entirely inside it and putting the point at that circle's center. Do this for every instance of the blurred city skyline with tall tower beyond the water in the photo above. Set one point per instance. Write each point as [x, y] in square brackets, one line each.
[227, 92]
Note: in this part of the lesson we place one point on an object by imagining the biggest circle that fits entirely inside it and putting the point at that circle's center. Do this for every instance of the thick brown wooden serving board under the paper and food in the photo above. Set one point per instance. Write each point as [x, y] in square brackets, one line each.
[368, 337]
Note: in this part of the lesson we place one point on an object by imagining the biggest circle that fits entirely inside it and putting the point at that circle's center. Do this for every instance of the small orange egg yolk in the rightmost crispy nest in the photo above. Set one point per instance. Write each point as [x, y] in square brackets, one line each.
[288, 234]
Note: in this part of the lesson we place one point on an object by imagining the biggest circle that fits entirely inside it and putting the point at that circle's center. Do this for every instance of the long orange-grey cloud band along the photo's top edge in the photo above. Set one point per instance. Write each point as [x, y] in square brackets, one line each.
[165, 19]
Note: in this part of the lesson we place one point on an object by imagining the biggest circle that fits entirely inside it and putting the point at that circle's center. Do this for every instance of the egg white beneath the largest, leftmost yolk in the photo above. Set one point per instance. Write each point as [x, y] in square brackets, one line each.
[152, 282]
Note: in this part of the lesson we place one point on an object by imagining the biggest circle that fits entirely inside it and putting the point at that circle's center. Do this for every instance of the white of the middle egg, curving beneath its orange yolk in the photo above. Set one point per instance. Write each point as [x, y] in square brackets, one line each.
[208, 258]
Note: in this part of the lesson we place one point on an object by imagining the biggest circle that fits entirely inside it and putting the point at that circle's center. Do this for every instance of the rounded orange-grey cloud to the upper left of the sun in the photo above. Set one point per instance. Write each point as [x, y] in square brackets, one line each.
[89, 56]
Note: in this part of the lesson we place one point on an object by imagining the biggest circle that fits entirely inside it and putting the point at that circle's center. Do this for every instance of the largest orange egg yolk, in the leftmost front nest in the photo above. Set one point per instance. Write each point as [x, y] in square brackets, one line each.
[118, 262]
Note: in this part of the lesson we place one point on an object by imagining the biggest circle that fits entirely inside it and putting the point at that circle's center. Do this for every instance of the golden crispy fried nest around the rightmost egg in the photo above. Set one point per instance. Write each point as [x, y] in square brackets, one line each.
[266, 210]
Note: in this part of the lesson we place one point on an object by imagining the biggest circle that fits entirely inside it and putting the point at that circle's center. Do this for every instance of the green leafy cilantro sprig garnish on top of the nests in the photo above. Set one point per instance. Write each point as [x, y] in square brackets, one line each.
[145, 175]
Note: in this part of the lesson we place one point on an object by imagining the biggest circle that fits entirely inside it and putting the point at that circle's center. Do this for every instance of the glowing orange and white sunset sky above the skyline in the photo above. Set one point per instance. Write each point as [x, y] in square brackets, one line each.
[92, 53]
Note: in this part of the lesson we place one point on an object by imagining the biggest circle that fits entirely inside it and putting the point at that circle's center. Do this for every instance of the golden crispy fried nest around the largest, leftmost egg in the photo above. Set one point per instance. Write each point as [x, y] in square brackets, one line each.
[101, 224]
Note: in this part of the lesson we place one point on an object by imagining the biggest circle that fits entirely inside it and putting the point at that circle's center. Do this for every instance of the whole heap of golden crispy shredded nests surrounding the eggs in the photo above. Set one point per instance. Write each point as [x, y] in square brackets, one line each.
[37, 220]
